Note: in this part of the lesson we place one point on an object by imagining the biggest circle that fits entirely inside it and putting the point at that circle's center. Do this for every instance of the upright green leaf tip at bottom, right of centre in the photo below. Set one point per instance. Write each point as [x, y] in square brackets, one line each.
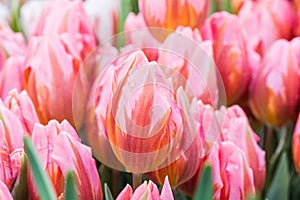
[204, 190]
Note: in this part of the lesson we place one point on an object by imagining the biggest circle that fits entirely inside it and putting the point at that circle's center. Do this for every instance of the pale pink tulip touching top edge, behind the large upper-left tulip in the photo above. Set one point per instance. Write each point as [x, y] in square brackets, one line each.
[68, 17]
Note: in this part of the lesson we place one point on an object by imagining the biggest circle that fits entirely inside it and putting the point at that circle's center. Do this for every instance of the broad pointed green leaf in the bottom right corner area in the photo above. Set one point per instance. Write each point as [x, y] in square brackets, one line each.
[279, 188]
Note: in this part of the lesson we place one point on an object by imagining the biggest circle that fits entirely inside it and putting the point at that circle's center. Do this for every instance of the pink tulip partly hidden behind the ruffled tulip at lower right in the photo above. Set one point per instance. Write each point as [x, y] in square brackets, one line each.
[236, 128]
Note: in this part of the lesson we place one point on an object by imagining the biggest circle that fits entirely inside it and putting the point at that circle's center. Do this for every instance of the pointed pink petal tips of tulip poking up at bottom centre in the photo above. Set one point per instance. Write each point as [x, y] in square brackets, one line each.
[147, 191]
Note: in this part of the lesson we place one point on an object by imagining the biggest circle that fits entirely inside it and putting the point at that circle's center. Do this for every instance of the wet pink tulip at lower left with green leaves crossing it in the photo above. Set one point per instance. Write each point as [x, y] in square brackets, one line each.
[61, 151]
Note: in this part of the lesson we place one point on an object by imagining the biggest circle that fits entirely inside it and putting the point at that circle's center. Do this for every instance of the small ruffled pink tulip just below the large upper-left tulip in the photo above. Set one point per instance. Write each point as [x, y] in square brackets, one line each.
[21, 105]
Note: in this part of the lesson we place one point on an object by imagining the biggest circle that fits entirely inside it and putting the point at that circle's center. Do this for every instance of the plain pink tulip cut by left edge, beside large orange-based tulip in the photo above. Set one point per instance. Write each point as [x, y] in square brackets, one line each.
[11, 76]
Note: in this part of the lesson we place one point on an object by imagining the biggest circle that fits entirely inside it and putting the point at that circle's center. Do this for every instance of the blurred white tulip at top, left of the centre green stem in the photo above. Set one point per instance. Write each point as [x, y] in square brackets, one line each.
[105, 23]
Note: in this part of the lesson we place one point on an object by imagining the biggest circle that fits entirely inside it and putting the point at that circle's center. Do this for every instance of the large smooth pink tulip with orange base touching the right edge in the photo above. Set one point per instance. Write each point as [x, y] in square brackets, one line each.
[274, 93]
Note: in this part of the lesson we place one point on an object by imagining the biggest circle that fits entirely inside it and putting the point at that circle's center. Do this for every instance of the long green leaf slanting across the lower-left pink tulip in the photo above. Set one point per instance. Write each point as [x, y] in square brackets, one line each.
[41, 179]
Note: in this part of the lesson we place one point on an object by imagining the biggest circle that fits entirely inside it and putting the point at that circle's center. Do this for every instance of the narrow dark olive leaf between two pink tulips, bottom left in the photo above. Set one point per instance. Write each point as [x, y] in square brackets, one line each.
[20, 189]
